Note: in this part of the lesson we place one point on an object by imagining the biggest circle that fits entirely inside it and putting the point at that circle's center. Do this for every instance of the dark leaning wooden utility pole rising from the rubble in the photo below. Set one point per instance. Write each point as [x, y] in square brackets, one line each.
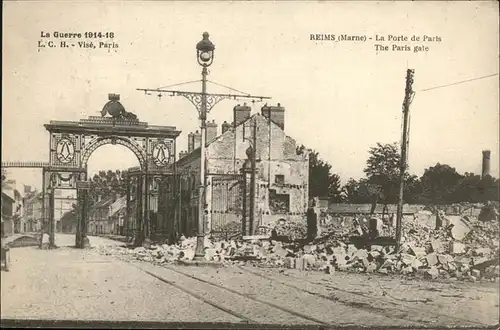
[404, 144]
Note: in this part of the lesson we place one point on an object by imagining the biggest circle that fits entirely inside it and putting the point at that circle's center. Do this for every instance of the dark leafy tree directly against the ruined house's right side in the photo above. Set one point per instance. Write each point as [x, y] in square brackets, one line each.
[321, 181]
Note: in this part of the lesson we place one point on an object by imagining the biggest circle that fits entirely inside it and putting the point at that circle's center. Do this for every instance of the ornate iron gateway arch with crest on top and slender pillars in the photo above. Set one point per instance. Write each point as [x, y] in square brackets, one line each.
[71, 145]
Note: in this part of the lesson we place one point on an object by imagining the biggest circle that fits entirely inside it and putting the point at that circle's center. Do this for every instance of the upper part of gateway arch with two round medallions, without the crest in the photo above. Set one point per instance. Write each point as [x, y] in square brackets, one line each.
[72, 143]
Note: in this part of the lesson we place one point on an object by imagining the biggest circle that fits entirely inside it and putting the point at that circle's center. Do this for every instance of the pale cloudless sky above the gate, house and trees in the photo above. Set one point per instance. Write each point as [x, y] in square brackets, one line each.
[341, 98]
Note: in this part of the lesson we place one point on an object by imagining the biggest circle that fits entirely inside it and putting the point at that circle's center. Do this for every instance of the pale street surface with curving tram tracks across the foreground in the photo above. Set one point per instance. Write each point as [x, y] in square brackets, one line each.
[68, 285]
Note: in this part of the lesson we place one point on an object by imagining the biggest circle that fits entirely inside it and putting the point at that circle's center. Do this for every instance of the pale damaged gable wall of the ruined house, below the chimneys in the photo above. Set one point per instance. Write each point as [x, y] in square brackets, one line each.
[281, 173]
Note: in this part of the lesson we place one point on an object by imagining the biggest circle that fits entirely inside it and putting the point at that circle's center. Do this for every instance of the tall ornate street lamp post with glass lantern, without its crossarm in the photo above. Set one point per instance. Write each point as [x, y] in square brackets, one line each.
[205, 56]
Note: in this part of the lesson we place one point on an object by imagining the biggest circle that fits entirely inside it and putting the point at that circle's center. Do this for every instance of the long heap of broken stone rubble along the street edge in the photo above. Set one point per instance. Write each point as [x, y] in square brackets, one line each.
[463, 250]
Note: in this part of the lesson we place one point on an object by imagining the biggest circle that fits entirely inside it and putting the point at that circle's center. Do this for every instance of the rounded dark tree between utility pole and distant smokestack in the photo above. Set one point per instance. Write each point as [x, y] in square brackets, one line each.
[439, 183]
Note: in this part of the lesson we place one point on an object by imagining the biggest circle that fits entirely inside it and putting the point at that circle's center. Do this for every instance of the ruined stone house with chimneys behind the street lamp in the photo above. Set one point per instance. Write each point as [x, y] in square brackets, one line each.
[281, 174]
